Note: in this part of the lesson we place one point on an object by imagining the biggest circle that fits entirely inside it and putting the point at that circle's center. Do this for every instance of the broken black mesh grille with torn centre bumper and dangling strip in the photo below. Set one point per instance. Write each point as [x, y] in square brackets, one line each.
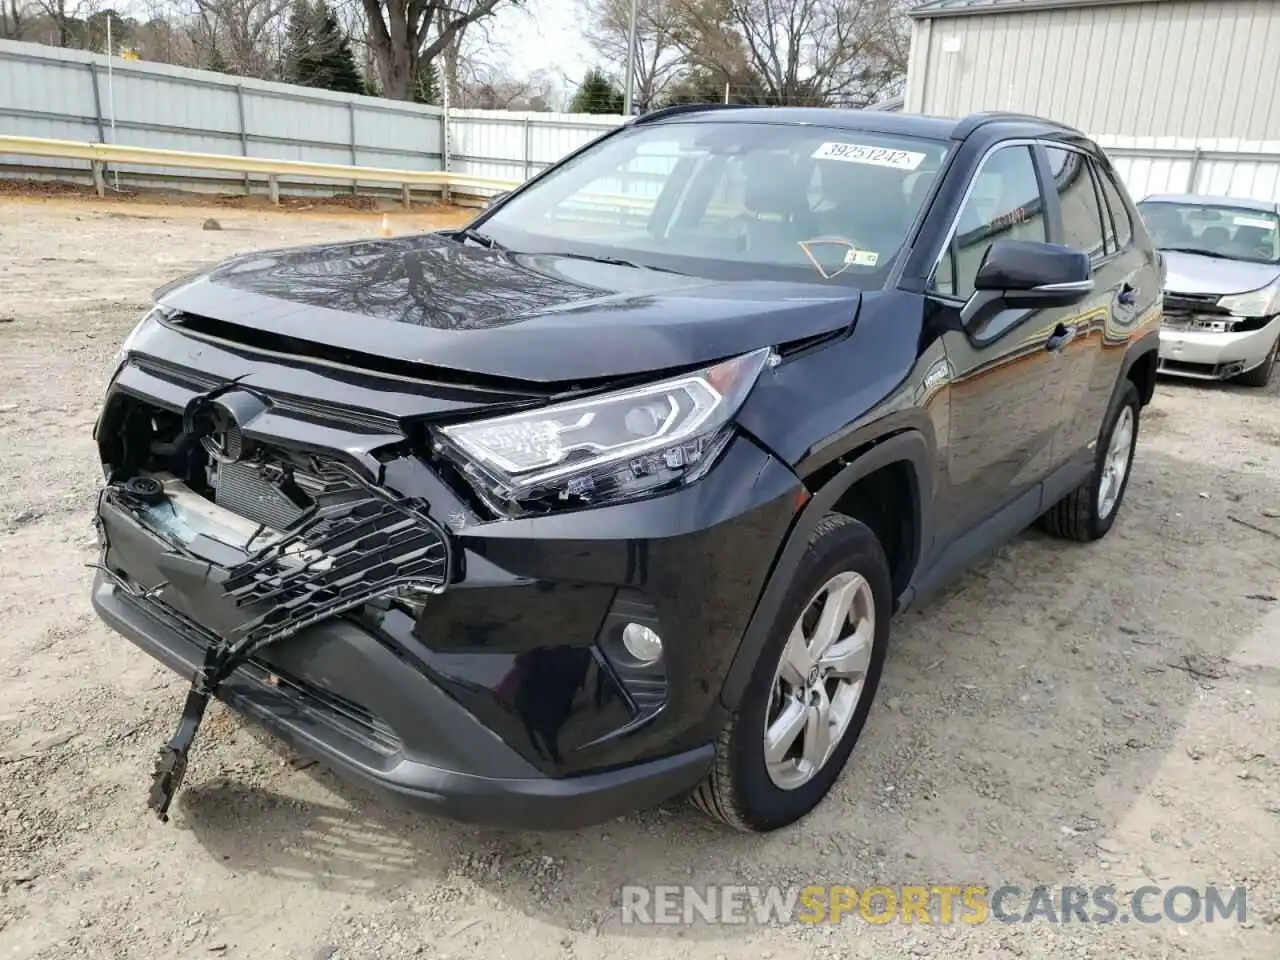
[252, 586]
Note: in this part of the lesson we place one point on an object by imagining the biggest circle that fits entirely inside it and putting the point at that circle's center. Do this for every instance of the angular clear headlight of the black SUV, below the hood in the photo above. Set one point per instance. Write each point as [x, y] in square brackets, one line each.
[610, 447]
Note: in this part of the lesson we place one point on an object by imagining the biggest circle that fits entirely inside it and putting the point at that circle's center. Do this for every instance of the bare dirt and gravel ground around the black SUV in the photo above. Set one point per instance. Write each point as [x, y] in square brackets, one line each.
[1063, 716]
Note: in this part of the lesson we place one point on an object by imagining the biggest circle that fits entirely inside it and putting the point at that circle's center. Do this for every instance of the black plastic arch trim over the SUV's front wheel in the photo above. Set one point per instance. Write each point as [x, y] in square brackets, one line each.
[830, 487]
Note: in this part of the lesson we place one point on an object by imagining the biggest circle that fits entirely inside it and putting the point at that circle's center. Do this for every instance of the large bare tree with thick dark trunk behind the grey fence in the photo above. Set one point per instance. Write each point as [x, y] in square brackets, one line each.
[405, 34]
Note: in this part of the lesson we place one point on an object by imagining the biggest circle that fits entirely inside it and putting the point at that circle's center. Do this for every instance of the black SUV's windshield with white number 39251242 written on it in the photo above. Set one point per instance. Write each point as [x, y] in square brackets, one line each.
[732, 200]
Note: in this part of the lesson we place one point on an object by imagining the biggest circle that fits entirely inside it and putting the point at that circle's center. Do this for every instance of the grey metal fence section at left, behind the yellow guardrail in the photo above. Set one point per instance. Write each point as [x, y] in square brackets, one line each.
[84, 97]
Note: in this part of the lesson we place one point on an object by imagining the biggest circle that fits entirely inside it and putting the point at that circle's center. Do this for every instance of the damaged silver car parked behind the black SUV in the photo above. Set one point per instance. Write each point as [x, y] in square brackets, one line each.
[1222, 289]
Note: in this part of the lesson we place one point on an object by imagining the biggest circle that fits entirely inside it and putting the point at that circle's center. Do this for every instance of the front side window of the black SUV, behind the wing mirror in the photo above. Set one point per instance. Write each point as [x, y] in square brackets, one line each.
[1005, 204]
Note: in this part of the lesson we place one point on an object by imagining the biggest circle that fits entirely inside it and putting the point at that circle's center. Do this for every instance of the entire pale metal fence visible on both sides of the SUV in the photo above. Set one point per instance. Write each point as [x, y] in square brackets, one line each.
[75, 95]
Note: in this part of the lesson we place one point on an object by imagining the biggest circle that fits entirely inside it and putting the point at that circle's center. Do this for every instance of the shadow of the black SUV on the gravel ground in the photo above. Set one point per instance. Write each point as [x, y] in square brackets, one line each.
[1021, 717]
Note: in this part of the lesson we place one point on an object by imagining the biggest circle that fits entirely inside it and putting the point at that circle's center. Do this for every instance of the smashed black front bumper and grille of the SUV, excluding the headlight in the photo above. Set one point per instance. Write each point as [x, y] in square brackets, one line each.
[280, 534]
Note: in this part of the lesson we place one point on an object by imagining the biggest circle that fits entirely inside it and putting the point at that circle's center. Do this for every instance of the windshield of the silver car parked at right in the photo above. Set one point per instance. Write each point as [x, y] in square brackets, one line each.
[1231, 232]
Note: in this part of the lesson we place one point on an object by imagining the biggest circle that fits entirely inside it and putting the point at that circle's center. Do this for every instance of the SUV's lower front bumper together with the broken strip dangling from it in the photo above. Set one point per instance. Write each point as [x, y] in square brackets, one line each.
[422, 747]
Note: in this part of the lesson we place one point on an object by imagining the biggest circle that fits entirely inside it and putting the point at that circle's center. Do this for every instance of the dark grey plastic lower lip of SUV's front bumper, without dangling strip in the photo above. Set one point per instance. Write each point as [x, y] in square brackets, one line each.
[511, 793]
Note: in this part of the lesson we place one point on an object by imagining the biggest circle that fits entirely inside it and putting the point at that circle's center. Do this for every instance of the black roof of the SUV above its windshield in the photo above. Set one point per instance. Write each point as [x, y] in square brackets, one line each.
[870, 121]
